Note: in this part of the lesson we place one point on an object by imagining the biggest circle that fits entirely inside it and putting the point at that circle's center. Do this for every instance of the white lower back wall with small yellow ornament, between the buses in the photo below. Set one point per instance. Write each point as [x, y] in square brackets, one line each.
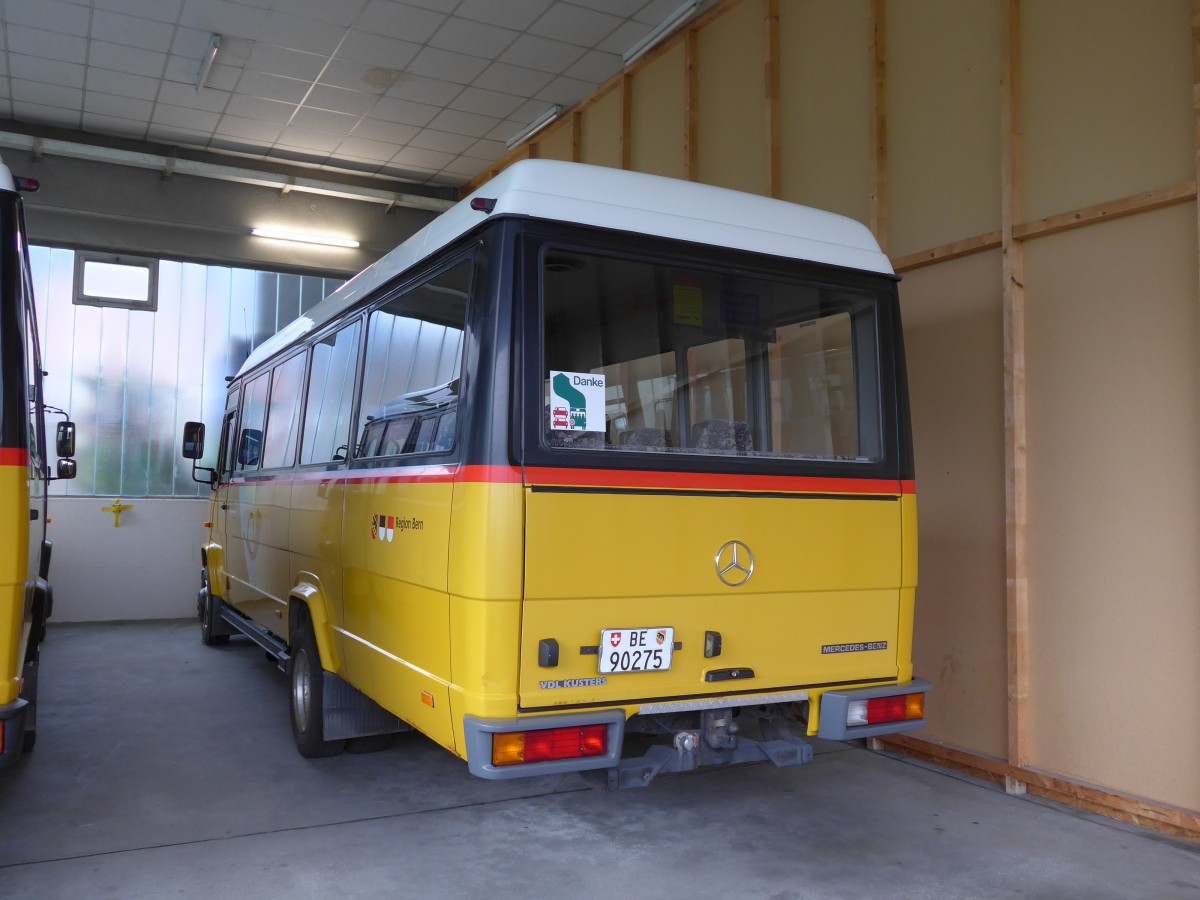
[147, 569]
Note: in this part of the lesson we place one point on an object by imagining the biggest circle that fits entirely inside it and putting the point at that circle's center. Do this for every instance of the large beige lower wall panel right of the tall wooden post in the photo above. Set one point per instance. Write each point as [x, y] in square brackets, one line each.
[1114, 467]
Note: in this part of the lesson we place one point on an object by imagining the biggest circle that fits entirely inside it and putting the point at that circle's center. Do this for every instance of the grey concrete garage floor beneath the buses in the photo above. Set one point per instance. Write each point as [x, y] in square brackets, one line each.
[166, 769]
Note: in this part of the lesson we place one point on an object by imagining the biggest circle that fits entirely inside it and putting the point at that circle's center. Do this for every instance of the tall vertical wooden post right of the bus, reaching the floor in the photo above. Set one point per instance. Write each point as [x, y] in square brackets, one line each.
[1016, 429]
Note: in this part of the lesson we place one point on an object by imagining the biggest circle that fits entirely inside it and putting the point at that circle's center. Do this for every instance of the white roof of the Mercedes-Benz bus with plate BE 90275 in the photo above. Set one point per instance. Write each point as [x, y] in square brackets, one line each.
[621, 201]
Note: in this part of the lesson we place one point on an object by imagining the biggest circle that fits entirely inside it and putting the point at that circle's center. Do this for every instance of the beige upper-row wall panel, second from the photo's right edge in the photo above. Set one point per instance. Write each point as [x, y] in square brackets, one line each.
[944, 122]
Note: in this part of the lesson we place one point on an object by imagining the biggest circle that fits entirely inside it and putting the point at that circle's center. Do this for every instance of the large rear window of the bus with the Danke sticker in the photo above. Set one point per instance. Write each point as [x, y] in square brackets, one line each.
[652, 357]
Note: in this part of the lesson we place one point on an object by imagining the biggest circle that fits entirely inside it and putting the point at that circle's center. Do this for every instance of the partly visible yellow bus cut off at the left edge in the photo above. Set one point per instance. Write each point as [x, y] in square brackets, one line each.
[26, 595]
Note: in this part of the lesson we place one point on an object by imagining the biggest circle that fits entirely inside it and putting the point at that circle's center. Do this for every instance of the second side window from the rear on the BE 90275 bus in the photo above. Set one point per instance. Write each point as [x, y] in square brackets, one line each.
[327, 424]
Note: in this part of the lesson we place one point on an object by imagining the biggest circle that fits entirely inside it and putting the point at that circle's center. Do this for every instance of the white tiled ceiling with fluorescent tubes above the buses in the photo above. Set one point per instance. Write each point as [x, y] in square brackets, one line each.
[423, 92]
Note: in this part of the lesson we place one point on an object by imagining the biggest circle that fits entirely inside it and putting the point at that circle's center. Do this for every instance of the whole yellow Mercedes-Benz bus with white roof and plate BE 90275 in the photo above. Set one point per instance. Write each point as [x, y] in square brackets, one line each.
[599, 471]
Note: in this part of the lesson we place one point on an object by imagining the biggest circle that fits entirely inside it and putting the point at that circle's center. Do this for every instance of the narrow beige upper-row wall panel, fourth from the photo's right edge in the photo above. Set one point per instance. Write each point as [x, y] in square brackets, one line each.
[731, 137]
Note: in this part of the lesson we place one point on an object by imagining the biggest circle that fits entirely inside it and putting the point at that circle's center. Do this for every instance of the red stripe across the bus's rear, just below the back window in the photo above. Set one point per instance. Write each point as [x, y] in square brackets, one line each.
[710, 482]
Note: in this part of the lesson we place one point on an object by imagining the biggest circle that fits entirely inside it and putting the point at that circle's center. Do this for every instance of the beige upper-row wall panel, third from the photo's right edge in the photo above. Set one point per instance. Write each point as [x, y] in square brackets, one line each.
[825, 73]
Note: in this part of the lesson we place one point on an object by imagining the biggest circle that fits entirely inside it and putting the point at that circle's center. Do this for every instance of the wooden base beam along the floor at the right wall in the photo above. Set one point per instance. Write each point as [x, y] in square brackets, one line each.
[1138, 811]
